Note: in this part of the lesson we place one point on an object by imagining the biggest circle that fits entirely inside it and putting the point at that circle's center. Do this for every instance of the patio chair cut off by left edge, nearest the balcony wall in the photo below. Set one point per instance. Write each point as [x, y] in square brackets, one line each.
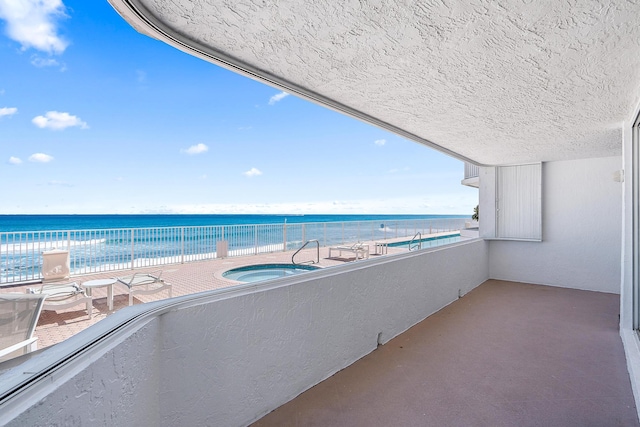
[19, 315]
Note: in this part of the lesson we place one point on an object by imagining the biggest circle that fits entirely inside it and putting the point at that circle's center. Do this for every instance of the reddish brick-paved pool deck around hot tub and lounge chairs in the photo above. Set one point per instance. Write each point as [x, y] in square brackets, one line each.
[189, 278]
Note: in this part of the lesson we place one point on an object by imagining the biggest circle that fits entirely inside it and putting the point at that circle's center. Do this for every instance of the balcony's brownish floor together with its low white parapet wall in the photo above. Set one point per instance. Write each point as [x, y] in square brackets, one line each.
[502, 352]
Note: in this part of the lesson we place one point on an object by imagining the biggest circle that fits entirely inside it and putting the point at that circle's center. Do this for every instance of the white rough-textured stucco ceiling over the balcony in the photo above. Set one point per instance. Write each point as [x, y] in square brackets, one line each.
[495, 82]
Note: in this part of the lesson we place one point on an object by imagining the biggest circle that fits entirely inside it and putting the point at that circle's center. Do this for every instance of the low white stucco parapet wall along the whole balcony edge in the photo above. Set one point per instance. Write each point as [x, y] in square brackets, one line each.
[228, 357]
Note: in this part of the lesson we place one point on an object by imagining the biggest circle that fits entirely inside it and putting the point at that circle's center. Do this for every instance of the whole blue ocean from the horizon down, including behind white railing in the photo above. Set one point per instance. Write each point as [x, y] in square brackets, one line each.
[98, 243]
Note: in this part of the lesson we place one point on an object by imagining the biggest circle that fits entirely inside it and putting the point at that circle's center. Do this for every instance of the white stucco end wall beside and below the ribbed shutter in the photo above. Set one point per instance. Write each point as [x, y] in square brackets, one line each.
[581, 230]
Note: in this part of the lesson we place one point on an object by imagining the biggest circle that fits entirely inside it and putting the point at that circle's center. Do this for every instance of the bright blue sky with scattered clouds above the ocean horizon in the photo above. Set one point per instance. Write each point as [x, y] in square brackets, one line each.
[97, 118]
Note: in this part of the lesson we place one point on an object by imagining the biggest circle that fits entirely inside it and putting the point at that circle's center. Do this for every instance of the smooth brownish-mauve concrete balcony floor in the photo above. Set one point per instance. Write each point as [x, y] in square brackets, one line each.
[506, 354]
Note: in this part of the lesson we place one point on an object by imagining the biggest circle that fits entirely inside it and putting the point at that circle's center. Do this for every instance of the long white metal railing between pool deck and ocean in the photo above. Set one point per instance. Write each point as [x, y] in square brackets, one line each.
[93, 251]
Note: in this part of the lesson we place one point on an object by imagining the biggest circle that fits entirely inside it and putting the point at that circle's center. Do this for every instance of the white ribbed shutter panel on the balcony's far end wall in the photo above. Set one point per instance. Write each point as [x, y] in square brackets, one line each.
[519, 206]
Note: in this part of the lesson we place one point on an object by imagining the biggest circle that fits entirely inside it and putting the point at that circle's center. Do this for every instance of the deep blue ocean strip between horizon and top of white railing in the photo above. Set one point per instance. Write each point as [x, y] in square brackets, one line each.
[15, 223]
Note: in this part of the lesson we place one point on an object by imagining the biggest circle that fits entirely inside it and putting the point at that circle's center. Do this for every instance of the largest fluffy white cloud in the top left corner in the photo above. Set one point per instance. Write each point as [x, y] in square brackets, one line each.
[34, 23]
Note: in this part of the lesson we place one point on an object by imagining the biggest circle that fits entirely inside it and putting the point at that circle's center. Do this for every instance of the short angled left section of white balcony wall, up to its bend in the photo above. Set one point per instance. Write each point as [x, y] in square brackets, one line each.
[113, 383]
